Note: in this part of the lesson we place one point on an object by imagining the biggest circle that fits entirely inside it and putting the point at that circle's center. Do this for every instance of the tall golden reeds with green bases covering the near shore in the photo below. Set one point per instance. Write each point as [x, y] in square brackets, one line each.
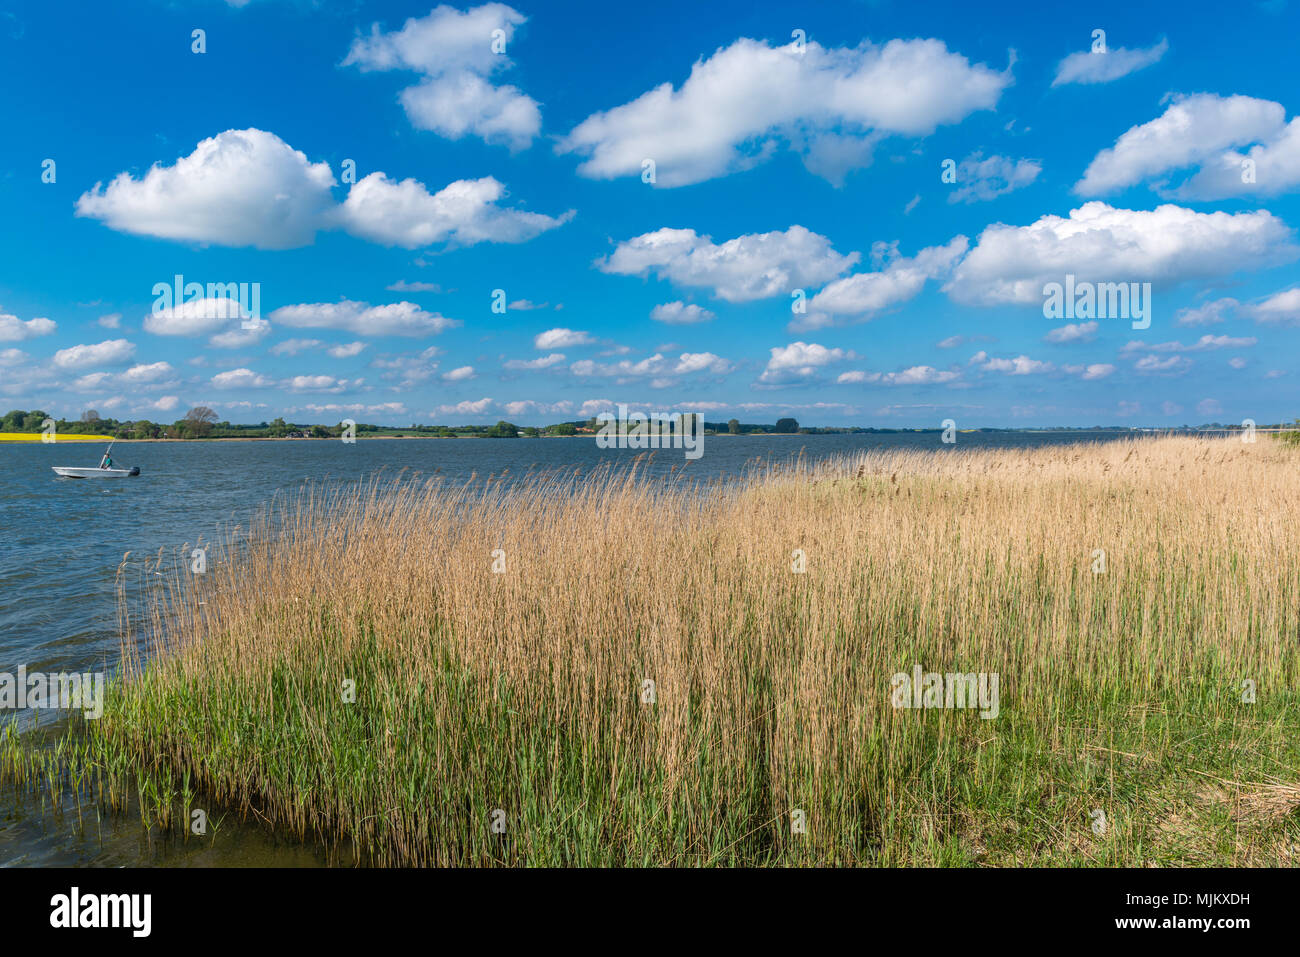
[366, 674]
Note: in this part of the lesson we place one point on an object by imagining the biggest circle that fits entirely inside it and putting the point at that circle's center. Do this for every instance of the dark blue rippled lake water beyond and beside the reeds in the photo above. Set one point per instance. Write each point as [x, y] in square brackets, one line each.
[62, 542]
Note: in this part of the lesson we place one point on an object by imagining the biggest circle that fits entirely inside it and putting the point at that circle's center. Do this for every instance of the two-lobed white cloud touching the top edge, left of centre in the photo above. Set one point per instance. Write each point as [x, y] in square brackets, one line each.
[454, 53]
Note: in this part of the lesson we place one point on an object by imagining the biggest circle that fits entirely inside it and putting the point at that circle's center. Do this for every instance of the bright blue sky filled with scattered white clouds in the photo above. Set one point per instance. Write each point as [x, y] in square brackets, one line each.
[782, 163]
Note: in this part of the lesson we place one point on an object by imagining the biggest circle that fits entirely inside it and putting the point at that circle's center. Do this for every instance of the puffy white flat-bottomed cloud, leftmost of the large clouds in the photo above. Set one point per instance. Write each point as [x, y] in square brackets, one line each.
[241, 188]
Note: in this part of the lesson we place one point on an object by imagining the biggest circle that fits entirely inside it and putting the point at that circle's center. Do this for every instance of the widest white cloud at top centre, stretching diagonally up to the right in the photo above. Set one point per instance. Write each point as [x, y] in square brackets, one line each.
[748, 101]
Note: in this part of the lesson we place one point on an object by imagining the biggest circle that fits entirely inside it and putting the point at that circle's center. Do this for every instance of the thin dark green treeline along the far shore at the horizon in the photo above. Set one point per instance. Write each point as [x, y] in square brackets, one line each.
[203, 423]
